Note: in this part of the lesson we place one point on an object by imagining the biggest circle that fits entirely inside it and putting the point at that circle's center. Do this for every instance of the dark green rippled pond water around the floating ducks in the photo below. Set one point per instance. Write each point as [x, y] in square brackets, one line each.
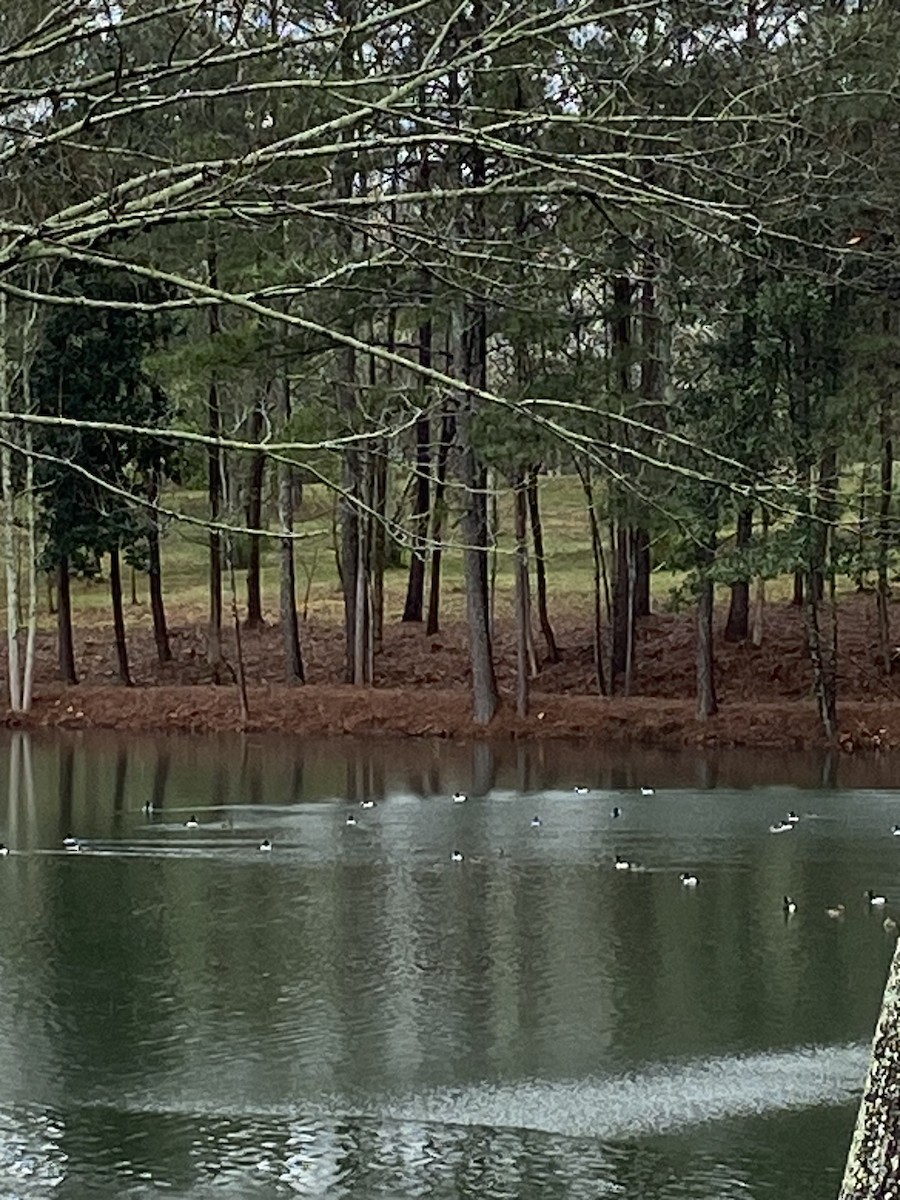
[357, 1016]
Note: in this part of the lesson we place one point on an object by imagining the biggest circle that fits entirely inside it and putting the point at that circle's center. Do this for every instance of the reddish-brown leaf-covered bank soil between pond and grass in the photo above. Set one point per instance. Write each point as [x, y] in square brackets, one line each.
[422, 686]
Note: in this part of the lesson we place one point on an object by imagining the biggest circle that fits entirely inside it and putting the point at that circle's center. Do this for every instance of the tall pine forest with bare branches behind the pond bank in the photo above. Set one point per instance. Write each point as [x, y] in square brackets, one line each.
[431, 267]
